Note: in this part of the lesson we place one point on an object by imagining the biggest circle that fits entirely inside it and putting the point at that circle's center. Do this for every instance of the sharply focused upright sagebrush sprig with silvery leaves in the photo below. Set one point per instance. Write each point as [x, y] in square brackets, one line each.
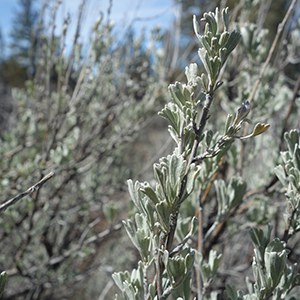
[153, 227]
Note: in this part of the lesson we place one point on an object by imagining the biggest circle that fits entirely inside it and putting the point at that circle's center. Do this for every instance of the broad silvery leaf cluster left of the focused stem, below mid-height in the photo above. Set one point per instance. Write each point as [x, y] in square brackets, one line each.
[157, 204]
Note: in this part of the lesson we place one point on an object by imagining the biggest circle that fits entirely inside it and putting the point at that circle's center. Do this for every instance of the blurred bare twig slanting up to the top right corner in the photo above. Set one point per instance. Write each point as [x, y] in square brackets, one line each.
[272, 49]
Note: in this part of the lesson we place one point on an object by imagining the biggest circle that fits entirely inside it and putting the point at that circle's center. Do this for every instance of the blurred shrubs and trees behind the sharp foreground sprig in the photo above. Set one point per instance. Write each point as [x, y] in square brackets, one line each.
[85, 112]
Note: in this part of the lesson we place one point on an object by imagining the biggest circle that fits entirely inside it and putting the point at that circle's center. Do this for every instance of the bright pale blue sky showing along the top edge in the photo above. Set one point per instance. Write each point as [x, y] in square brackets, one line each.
[144, 13]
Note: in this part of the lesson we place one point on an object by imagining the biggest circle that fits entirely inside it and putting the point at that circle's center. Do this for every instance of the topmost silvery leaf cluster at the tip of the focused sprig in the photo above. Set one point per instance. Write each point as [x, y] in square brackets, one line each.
[216, 44]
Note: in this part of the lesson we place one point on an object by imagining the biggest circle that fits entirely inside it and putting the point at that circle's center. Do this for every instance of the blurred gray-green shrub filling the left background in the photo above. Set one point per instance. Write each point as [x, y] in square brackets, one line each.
[75, 118]
